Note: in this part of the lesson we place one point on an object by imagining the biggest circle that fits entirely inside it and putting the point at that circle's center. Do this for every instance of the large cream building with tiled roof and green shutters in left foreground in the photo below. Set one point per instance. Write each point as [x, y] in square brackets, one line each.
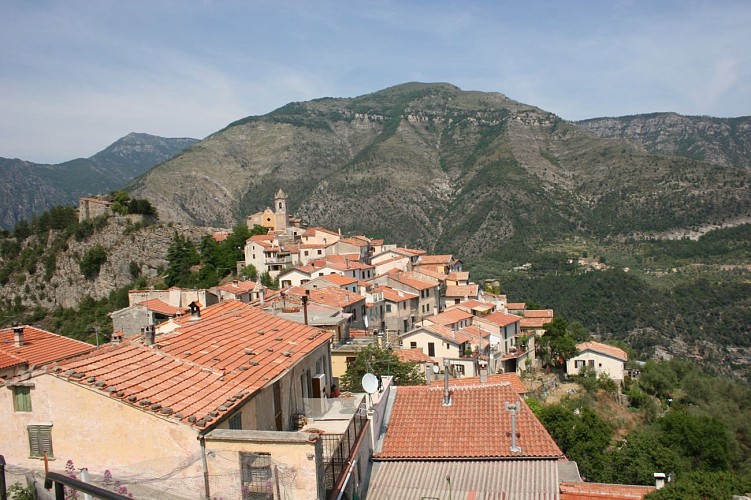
[219, 407]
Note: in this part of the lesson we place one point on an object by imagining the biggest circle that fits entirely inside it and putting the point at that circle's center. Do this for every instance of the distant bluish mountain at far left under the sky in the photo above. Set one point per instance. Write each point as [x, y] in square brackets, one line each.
[27, 189]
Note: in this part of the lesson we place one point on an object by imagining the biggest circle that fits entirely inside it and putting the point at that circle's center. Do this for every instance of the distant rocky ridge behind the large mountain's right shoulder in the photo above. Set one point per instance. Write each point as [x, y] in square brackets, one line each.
[726, 141]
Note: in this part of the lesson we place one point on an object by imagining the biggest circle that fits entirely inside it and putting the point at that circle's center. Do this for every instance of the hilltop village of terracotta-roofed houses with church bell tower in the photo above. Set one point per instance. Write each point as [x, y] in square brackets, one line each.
[234, 391]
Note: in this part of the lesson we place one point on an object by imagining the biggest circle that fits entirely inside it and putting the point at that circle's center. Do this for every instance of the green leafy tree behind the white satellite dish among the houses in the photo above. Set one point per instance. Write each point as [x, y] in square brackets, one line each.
[378, 361]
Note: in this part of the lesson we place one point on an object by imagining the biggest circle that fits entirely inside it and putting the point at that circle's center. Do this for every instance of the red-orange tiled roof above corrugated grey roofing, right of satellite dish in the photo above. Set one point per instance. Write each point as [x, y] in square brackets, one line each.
[422, 427]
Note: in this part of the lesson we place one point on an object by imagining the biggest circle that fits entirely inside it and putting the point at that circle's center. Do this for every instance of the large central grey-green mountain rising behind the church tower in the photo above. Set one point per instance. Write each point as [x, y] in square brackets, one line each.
[437, 167]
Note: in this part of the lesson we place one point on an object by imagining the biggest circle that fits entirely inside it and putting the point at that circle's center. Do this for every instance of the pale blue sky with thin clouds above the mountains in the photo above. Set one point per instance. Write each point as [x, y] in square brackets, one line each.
[76, 75]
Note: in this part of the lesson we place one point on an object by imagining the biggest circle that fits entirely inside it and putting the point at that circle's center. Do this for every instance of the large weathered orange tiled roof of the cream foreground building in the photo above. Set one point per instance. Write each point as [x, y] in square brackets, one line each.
[205, 366]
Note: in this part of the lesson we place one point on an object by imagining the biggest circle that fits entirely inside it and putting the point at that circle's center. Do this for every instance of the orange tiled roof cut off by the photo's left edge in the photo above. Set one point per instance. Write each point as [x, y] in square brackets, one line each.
[39, 347]
